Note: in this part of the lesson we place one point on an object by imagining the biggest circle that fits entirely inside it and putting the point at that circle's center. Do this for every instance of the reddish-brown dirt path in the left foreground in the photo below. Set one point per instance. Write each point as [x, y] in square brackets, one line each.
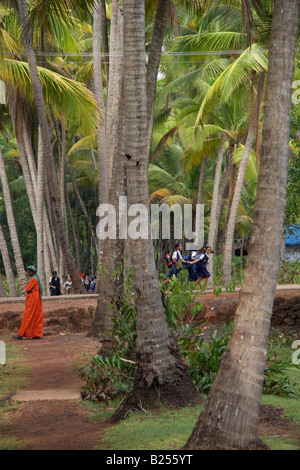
[50, 416]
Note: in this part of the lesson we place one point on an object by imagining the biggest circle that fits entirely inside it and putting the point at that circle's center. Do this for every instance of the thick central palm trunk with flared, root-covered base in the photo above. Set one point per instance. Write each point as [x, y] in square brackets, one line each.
[159, 372]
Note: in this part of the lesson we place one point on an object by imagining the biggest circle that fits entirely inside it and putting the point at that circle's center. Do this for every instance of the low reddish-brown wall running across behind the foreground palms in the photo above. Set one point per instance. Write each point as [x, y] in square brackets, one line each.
[76, 313]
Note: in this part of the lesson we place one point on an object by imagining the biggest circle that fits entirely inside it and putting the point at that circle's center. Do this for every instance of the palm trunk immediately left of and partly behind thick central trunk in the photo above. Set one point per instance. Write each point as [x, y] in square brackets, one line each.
[109, 288]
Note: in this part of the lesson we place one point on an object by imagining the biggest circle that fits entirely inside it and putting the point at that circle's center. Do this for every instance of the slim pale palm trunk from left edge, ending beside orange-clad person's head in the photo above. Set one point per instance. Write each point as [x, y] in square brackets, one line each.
[12, 226]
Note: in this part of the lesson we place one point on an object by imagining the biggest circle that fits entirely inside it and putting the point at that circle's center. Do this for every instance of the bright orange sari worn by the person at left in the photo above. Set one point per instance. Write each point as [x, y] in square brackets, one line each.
[32, 322]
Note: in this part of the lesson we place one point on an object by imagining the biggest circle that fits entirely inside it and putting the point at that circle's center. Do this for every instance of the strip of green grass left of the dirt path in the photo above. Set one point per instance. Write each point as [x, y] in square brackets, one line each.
[13, 376]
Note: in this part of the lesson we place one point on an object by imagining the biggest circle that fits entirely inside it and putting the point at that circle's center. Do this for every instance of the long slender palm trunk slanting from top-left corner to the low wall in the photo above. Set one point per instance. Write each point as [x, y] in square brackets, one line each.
[47, 148]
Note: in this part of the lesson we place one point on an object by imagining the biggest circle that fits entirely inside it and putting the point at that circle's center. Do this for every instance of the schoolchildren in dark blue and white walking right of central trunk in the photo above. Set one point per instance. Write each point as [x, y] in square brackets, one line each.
[196, 264]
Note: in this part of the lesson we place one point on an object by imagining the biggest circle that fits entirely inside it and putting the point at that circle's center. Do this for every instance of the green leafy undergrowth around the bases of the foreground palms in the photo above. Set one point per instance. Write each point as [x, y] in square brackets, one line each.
[201, 347]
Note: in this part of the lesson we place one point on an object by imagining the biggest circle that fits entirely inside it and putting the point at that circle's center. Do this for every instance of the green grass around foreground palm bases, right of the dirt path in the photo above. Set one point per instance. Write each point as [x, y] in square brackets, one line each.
[169, 430]
